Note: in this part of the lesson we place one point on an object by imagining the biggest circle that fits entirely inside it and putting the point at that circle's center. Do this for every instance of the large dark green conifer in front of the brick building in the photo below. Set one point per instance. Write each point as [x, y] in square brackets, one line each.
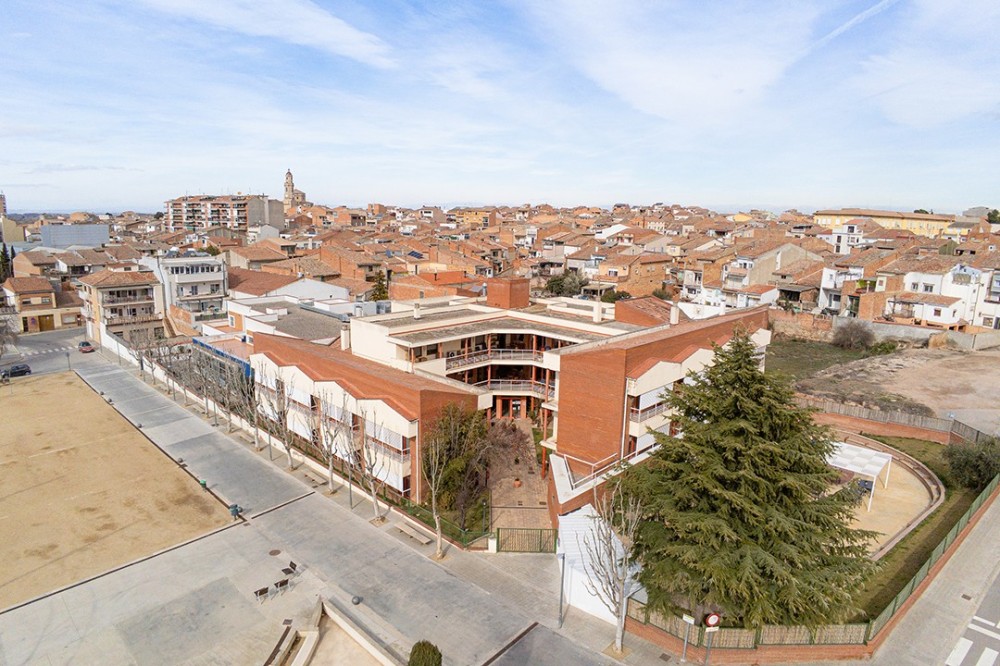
[739, 517]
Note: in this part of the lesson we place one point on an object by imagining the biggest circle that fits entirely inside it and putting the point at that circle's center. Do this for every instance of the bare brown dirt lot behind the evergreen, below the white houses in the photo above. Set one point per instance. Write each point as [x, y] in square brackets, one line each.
[925, 381]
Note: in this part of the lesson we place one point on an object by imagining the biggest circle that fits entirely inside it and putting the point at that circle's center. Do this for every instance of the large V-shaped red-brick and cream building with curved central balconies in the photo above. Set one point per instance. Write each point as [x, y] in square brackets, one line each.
[595, 384]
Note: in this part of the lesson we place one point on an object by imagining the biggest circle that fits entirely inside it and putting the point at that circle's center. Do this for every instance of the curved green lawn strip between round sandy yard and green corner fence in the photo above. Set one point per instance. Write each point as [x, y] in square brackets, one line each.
[903, 561]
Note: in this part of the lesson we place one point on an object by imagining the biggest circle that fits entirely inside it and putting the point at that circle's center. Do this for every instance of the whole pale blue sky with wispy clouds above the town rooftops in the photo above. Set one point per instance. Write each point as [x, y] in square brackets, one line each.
[809, 103]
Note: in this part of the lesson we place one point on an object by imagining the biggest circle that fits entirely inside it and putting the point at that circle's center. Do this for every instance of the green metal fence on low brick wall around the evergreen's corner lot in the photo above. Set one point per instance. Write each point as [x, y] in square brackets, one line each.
[830, 634]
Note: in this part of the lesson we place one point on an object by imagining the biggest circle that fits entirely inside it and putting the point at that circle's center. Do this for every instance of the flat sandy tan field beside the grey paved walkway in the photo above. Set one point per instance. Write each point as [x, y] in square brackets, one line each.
[82, 491]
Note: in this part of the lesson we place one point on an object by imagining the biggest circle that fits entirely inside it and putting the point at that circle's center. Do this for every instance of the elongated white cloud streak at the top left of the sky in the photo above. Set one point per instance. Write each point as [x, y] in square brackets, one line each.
[294, 21]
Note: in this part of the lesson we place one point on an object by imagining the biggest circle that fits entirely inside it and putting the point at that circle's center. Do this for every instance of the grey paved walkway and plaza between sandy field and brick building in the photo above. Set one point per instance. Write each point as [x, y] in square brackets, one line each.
[196, 603]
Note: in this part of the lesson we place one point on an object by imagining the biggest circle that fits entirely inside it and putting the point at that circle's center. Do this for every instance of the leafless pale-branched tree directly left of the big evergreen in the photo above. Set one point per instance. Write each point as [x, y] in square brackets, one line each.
[608, 559]
